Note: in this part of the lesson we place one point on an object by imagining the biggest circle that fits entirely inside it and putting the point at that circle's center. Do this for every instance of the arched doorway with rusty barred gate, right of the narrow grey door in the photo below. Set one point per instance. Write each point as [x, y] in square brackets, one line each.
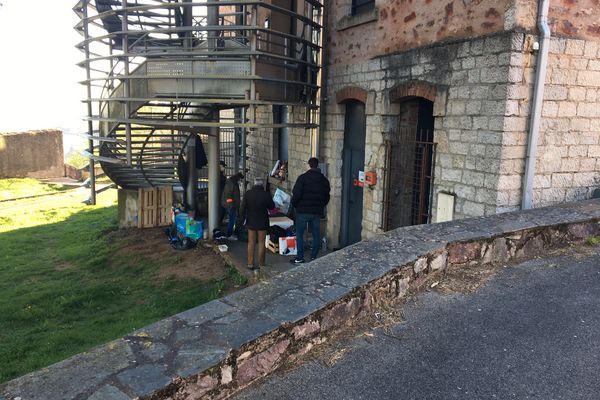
[410, 166]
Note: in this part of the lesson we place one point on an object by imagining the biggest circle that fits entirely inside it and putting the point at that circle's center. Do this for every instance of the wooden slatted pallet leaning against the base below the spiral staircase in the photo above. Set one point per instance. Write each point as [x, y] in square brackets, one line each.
[154, 206]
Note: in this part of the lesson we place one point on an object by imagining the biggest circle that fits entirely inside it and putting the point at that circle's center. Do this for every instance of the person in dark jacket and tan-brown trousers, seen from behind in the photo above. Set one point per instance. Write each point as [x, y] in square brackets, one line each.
[254, 210]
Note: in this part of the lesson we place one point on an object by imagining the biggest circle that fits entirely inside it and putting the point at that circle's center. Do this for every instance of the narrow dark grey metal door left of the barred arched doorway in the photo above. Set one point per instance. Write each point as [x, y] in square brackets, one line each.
[353, 161]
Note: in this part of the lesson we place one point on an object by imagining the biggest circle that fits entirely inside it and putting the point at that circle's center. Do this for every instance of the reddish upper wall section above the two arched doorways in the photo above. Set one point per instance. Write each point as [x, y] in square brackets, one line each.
[398, 26]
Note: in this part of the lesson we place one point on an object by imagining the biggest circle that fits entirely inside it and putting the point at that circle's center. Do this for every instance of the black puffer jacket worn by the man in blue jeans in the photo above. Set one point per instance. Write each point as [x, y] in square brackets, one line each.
[311, 193]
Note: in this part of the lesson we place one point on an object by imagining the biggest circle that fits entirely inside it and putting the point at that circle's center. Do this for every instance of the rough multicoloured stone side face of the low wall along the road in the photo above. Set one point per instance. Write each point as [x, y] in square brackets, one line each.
[293, 340]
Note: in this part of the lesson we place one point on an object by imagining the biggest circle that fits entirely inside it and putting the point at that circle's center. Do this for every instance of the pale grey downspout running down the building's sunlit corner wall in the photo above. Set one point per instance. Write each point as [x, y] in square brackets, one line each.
[536, 109]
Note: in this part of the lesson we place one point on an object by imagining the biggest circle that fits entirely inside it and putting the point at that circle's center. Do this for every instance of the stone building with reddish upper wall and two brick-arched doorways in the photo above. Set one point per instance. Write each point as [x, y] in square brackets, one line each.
[435, 97]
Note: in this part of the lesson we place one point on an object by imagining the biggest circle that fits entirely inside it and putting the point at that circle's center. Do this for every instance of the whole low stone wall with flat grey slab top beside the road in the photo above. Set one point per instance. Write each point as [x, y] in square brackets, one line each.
[218, 348]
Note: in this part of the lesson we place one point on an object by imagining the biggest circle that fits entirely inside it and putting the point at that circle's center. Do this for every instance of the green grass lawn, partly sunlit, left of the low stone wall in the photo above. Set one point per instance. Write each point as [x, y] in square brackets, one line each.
[66, 285]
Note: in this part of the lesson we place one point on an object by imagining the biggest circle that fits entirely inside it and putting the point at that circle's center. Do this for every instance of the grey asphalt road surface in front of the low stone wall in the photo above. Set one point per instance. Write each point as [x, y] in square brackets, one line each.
[533, 332]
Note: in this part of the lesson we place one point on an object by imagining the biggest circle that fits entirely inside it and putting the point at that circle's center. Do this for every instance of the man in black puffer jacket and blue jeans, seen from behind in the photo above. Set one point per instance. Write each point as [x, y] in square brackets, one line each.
[309, 198]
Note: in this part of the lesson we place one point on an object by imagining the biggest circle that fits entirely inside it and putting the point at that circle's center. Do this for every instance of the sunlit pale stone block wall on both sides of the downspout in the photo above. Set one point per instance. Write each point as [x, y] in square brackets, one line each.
[569, 145]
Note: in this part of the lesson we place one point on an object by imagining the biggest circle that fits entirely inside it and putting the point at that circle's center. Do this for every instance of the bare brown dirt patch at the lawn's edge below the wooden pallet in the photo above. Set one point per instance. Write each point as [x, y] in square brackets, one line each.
[139, 245]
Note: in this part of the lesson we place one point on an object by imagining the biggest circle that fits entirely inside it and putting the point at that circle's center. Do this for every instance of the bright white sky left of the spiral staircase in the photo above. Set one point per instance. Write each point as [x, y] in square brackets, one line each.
[39, 77]
